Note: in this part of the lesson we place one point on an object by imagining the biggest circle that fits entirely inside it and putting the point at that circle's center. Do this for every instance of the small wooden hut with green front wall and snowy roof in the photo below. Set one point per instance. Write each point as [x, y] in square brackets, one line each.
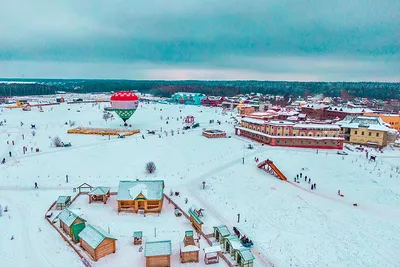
[71, 224]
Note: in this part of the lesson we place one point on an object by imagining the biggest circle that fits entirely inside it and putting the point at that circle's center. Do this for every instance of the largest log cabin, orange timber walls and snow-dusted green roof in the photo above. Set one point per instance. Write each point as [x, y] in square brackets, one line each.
[140, 195]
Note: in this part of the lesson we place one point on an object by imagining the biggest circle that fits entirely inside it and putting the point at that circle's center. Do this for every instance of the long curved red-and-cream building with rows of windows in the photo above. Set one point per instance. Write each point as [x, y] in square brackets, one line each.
[290, 134]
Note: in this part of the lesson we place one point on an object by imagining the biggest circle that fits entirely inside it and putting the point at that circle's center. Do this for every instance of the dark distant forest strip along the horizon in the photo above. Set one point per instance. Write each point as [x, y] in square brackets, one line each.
[227, 88]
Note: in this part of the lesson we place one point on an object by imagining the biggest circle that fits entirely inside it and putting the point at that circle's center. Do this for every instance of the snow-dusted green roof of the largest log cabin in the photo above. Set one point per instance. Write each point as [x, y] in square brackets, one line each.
[150, 189]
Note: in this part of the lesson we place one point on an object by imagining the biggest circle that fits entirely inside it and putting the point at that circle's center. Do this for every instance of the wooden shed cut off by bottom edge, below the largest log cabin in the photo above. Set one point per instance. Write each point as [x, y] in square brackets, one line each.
[158, 253]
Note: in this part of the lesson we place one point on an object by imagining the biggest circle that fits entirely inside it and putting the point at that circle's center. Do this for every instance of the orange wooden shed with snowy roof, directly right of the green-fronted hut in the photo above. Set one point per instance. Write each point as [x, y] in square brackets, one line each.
[96, 242]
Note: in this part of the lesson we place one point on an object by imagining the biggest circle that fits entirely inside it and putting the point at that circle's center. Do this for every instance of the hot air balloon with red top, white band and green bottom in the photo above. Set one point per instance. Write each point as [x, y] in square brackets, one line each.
[124, 104]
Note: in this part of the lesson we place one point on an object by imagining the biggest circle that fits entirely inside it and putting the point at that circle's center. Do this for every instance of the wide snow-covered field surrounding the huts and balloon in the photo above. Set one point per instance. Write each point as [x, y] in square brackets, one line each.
[289, 224]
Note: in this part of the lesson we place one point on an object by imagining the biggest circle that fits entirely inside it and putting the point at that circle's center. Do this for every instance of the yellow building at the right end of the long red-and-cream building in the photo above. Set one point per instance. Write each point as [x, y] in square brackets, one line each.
[365, 130]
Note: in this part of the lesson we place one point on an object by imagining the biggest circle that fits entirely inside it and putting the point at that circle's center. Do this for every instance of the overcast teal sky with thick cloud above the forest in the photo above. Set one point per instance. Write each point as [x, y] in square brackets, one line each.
[318, 40]
